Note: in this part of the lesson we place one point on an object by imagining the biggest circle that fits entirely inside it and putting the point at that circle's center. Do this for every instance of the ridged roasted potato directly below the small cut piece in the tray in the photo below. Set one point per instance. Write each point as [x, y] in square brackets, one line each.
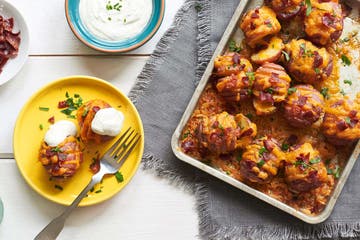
[271, 86]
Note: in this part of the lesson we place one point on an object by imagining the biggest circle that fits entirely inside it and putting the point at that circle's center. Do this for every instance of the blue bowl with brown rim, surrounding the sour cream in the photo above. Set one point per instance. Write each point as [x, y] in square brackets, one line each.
[80, 31]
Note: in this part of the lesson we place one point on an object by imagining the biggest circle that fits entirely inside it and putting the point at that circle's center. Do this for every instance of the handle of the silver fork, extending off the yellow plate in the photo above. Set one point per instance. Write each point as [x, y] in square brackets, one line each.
[52, 230]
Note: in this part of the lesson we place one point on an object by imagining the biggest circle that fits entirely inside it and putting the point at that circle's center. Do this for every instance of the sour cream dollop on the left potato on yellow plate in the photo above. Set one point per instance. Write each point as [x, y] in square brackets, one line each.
[59, 131]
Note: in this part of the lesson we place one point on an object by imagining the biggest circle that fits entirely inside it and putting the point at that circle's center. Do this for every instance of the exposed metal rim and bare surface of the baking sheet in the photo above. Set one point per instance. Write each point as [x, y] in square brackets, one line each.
[233, 32]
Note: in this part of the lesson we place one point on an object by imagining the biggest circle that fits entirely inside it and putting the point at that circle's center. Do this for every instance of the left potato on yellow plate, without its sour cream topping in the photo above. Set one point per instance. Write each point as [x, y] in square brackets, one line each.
[63, 160]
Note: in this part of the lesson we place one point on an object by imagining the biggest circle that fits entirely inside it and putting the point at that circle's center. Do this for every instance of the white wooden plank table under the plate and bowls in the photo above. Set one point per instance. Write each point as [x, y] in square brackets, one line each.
[148, 208]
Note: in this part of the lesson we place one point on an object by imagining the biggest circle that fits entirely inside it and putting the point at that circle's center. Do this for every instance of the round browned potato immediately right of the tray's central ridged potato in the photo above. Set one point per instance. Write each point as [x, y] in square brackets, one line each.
[304, 106]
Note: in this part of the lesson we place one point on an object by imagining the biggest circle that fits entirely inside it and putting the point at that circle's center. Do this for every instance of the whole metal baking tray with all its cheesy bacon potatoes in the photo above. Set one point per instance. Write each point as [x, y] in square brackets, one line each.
[276, 113]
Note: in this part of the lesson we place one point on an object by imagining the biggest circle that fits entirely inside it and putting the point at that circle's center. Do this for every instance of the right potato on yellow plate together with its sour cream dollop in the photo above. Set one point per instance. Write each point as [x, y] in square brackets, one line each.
[98, 121]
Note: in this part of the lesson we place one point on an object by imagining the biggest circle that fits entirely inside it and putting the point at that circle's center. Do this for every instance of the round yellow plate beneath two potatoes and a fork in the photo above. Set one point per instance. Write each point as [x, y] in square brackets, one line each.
[28, 137]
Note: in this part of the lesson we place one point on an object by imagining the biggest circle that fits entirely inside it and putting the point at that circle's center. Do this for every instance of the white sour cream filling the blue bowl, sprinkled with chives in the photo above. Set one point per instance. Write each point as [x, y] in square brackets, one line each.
[115, 20]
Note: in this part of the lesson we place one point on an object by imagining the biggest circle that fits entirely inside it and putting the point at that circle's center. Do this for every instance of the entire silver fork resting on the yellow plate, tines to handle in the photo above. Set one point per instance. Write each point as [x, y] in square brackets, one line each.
[110, 163]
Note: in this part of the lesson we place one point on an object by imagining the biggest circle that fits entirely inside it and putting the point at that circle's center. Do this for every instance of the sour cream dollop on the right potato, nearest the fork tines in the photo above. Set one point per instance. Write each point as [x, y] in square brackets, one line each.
[107, 121]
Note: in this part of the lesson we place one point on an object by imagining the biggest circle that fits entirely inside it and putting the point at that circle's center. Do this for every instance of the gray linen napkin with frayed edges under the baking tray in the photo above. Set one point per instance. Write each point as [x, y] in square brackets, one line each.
[161, 94]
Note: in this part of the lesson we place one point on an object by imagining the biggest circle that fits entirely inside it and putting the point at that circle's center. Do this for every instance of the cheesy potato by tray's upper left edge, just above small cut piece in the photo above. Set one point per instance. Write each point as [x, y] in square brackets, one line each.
[258, 24]
